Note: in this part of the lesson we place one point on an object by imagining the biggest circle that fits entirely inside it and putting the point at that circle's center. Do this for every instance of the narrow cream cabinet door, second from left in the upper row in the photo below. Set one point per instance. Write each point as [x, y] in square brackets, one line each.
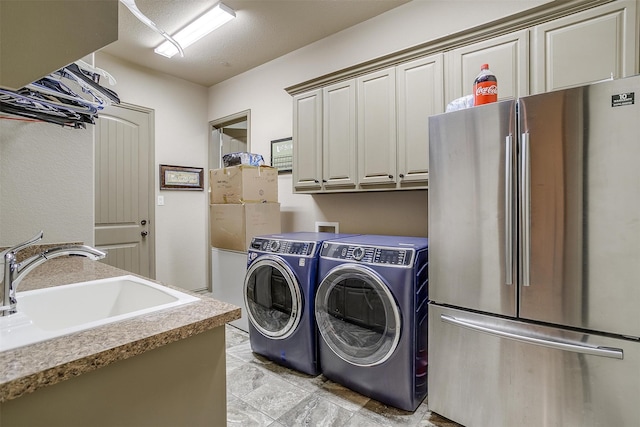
[339, 135]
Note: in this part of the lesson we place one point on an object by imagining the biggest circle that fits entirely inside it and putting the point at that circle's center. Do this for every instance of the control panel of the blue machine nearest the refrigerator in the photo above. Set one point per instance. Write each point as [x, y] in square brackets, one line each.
[368, 254]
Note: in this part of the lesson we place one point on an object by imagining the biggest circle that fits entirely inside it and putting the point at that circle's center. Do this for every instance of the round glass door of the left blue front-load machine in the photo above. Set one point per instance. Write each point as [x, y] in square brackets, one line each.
[272, 297]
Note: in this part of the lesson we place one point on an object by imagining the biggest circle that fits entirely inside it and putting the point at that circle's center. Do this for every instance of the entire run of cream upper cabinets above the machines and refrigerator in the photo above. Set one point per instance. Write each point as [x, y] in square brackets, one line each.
[368, 131]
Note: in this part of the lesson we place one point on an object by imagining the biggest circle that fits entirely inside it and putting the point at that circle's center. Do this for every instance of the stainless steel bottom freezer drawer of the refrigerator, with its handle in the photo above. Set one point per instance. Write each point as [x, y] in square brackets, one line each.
[490, 371]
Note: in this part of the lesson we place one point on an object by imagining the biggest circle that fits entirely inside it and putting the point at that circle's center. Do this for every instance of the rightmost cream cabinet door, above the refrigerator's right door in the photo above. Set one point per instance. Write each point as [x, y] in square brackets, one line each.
[593, 45]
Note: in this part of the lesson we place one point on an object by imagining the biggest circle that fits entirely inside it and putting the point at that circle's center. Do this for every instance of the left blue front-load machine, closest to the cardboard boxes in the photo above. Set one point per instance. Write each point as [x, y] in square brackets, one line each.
[279, 291]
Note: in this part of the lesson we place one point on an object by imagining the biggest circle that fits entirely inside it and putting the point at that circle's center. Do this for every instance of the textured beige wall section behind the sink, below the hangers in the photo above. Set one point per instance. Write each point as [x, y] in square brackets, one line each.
[46, 176]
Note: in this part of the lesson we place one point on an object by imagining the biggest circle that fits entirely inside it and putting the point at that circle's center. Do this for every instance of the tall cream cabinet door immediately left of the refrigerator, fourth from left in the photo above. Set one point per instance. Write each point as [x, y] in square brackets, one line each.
[420, 95]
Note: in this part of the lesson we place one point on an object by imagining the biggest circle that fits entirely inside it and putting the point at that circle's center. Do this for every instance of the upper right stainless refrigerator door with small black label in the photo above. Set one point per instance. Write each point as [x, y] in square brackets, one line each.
[581, 222]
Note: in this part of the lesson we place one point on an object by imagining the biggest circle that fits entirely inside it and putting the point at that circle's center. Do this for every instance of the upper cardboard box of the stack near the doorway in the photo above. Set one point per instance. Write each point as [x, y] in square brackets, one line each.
[243, 184]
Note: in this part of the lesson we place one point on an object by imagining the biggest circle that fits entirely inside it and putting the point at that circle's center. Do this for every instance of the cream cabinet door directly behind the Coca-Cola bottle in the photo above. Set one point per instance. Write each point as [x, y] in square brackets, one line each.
[508, 58]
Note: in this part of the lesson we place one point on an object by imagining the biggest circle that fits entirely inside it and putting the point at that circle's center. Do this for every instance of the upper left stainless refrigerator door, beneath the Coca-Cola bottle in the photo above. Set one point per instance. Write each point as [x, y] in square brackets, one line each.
[471, 208]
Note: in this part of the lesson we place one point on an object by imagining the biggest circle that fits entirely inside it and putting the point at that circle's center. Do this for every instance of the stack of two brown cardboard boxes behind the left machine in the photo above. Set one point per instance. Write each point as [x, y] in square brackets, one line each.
[243, 204]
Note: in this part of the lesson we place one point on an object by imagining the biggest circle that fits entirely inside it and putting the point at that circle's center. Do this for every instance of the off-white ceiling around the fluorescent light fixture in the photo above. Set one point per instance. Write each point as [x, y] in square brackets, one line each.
[263, 30]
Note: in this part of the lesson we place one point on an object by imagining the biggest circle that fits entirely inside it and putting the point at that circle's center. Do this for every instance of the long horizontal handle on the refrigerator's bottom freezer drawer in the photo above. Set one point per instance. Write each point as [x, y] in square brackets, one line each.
[614, 353]
